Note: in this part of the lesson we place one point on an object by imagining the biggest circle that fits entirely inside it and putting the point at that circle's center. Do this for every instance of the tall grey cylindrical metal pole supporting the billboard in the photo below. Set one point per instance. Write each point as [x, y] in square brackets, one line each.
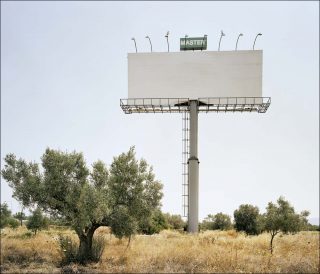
[193, 168]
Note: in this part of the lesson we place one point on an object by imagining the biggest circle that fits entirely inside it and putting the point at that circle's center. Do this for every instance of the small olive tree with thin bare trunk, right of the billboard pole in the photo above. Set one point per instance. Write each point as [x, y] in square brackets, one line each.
[281, 217]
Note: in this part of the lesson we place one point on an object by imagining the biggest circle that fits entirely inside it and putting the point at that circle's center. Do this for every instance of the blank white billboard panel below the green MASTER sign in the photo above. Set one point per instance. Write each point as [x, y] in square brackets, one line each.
[195, 74]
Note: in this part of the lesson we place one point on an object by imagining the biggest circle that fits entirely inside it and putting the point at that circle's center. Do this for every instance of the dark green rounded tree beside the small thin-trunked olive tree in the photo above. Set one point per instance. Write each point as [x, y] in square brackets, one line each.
[247, 219]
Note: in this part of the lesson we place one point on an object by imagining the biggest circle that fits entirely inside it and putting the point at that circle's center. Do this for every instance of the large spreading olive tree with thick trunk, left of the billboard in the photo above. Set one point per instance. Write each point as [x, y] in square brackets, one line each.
[120, 197]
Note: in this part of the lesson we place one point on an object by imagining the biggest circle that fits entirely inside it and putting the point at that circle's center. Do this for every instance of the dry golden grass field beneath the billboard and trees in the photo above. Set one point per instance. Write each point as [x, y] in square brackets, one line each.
[168, 252]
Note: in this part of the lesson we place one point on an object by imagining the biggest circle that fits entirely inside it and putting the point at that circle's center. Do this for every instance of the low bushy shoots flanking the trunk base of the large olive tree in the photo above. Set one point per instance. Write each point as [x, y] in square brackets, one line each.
[70, 248]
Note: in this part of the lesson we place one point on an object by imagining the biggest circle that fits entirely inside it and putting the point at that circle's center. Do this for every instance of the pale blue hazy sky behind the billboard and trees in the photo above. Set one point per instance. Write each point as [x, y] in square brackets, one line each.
[64, 70]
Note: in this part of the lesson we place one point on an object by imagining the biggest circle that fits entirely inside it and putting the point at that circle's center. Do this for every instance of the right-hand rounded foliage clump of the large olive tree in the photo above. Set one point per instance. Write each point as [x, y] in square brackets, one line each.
[135, 193]
